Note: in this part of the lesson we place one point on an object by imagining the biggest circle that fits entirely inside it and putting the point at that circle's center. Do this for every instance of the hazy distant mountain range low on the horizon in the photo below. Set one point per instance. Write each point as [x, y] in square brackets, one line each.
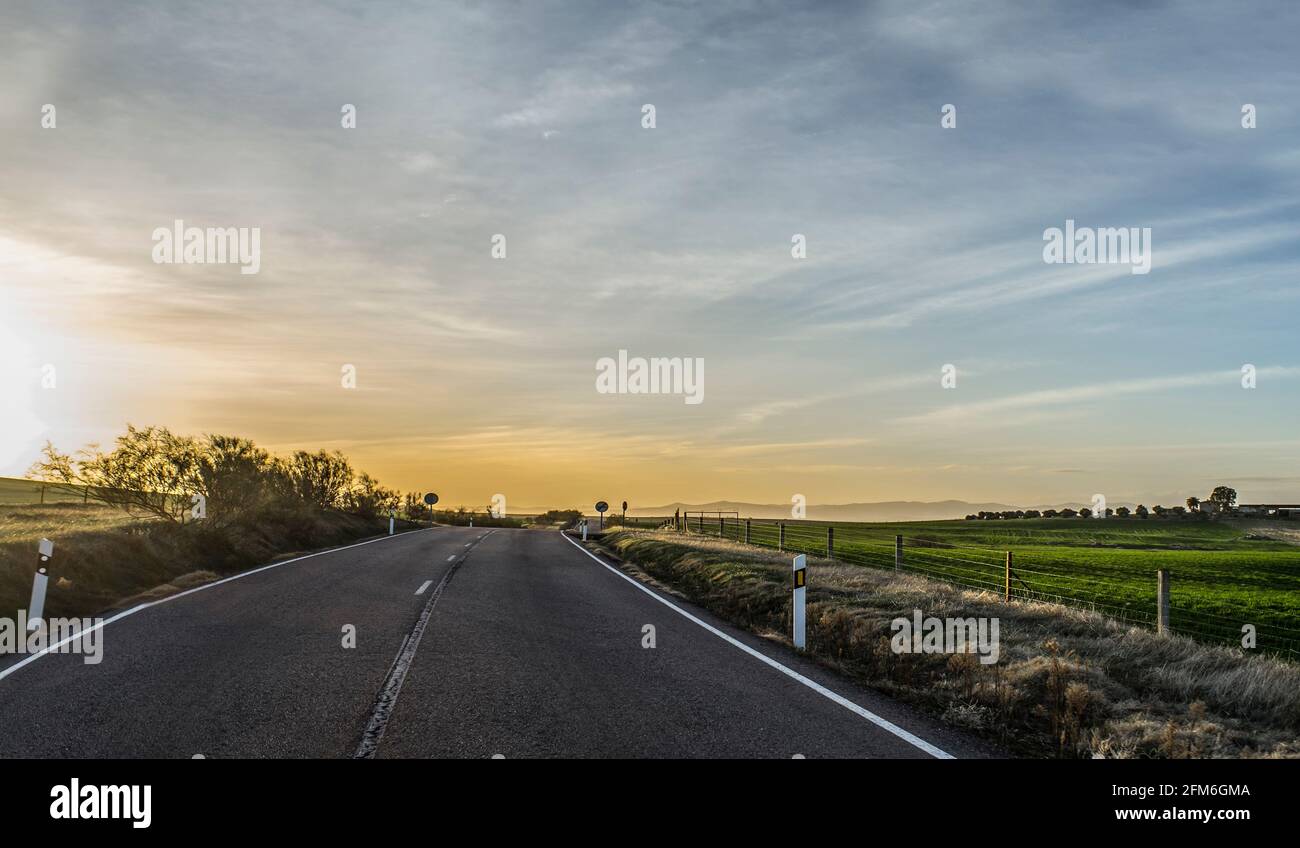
[878, 512]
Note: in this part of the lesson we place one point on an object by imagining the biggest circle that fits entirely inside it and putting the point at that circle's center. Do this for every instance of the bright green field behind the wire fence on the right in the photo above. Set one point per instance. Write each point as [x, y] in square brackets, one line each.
[1224, 576]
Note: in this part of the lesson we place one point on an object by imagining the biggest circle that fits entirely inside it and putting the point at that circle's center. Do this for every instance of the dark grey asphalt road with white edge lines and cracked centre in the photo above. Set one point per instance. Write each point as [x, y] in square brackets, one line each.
[470, 643]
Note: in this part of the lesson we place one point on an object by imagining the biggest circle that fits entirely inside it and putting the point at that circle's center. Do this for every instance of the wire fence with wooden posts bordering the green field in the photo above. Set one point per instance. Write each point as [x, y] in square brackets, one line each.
[1128, 595]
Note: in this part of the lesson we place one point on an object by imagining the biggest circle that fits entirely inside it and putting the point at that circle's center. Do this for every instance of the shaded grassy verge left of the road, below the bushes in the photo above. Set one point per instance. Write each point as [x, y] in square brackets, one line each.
[105, 560]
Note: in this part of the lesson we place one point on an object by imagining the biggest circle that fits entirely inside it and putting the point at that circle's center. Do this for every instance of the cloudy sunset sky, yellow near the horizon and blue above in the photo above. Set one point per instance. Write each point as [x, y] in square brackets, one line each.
[824, 375]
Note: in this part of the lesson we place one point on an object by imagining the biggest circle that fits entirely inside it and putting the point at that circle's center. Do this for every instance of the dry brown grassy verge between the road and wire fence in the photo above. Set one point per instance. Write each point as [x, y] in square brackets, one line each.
[1068, 683]
